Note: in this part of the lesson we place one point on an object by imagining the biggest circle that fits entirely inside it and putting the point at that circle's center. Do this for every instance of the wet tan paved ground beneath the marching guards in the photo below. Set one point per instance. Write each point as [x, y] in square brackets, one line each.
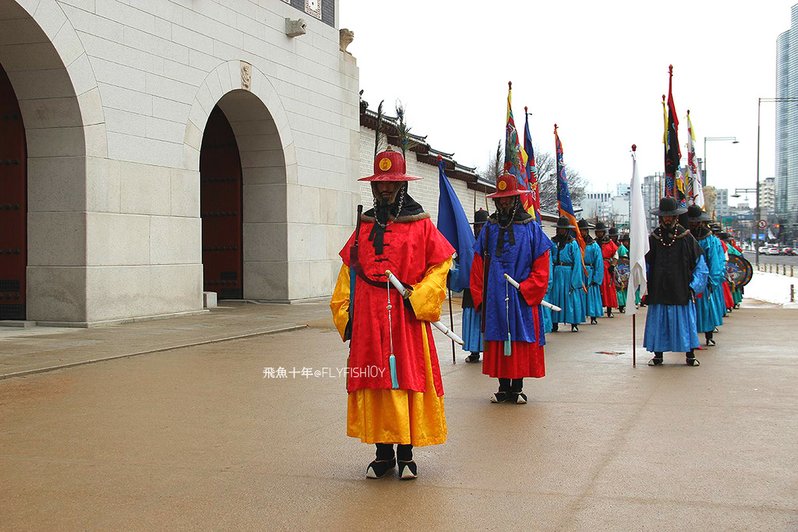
[196, 438]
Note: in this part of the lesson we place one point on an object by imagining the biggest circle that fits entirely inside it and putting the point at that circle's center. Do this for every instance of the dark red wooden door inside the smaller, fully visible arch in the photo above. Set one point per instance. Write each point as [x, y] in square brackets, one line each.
[220, 205]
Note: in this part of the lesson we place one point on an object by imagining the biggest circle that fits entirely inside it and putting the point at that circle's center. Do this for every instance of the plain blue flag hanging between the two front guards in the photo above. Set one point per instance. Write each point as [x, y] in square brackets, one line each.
[453, 224]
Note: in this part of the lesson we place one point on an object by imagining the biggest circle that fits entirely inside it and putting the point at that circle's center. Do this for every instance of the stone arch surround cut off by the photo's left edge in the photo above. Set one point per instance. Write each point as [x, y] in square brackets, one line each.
[64, 133]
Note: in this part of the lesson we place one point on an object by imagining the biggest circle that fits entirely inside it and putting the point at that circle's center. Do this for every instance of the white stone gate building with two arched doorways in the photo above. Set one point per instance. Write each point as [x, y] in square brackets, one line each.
[110, 107]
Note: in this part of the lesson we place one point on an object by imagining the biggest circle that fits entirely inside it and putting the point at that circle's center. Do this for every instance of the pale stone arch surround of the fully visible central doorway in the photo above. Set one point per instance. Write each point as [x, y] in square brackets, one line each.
[260, 126]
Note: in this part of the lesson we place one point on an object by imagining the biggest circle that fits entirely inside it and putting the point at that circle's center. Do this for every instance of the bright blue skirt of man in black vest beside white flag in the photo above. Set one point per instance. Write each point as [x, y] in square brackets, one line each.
[670, 328]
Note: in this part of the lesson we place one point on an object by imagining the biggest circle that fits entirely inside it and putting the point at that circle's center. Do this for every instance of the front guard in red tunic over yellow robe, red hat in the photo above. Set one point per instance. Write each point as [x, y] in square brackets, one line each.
[394, 380]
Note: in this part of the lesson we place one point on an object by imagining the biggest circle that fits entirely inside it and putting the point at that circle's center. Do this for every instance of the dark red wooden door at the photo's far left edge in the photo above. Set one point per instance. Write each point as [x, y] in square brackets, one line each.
[13, 204]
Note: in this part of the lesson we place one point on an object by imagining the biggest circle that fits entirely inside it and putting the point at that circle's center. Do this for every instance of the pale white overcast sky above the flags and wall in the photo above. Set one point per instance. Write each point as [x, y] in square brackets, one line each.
[597, 69]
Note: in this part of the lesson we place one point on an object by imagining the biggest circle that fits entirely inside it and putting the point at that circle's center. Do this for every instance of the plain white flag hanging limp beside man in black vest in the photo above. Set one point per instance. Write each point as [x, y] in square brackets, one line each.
[638, 239]
